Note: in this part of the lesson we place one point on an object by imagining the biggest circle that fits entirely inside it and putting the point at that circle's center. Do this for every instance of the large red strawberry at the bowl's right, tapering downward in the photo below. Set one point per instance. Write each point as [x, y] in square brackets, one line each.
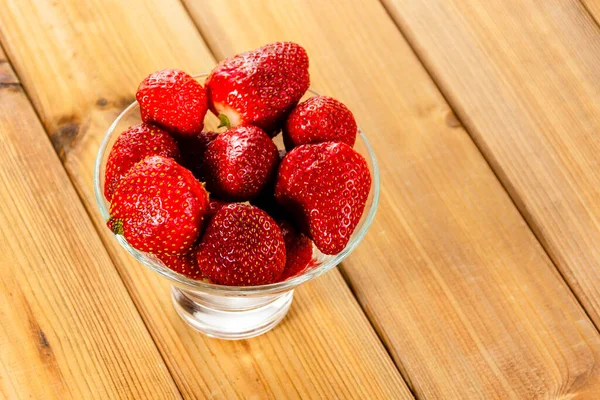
[325, 186]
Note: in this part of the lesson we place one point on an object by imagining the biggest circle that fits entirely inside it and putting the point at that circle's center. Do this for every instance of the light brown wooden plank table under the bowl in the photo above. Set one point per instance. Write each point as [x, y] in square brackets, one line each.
[479, 279]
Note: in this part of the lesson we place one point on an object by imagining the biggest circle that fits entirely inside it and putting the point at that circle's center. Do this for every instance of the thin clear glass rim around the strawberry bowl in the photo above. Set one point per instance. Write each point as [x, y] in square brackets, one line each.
[182, 281]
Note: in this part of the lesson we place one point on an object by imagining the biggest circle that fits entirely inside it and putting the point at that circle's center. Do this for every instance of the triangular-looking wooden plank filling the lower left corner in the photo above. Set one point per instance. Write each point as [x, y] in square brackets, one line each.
[69, 328]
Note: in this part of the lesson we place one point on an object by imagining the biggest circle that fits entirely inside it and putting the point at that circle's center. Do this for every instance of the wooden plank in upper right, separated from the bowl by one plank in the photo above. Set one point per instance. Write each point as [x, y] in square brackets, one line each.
[532, 104]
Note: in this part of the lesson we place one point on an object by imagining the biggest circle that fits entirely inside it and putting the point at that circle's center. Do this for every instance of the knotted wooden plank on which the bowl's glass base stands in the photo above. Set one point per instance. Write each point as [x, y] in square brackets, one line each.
[81, 63]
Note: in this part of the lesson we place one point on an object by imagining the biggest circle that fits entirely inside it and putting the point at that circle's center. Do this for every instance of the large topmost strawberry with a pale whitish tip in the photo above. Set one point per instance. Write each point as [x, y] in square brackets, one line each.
[259, 87]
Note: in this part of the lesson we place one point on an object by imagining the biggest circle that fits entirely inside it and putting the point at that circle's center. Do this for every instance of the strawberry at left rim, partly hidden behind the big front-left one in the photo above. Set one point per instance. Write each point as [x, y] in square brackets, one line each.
[133, 145]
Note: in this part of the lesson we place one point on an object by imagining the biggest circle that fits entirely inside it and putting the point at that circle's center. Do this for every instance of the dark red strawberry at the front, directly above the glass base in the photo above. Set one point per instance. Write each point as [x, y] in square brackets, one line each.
[242, 246]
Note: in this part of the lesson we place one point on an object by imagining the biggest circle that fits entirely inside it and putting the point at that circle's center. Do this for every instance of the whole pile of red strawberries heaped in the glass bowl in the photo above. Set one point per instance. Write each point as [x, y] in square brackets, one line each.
[230, 207]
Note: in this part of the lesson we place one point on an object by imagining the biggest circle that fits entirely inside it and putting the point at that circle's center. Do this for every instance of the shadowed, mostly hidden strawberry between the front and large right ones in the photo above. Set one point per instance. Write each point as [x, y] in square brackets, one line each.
[298, 251]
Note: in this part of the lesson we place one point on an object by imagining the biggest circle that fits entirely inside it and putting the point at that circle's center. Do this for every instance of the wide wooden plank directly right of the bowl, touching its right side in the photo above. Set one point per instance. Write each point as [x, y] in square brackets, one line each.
[465, 298]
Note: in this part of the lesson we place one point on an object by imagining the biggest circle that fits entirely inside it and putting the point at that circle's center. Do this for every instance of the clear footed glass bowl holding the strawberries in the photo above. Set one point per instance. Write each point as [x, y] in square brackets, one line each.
[233, 312]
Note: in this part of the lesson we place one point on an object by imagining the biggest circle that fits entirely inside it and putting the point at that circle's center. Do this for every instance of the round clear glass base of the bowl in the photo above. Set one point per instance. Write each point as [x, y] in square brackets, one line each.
[230, 318]
